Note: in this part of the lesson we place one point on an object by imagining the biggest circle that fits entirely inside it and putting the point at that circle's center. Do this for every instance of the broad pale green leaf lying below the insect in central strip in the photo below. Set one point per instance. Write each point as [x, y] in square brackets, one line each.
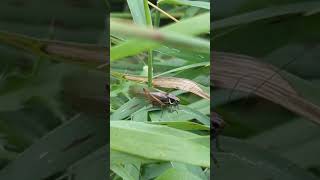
[156, 144]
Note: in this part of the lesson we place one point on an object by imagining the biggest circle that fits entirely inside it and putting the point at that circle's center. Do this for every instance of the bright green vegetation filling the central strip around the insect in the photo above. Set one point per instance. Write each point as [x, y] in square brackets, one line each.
[170, 53]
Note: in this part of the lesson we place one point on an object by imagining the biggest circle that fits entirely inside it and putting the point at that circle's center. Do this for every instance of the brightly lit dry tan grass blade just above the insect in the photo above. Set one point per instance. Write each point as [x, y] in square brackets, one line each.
[172, 82]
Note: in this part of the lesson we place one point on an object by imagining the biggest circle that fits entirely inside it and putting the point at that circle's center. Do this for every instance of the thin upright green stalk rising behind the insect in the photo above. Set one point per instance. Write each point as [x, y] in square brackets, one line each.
[150, 53]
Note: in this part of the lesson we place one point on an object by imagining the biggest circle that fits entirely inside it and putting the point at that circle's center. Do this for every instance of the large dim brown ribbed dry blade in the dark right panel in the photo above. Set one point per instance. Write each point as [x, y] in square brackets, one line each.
[228, 68]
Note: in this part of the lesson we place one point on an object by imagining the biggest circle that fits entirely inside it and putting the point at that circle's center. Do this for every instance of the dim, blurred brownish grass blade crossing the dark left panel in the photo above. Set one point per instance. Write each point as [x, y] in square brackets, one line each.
[69, 52]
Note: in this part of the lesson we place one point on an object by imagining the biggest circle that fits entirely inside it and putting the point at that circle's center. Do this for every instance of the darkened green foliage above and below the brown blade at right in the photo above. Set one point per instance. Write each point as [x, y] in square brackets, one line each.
[276, 32]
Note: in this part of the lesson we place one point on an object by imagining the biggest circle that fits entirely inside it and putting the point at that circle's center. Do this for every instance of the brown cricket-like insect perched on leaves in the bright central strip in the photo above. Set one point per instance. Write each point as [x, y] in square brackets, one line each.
[161, 99]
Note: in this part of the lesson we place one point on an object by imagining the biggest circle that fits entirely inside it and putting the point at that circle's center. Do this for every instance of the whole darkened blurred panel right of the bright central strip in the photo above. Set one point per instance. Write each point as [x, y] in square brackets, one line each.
[272, 112]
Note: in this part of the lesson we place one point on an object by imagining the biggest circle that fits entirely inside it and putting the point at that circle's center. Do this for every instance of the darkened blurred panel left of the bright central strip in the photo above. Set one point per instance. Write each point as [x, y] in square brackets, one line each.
[52, 95]
